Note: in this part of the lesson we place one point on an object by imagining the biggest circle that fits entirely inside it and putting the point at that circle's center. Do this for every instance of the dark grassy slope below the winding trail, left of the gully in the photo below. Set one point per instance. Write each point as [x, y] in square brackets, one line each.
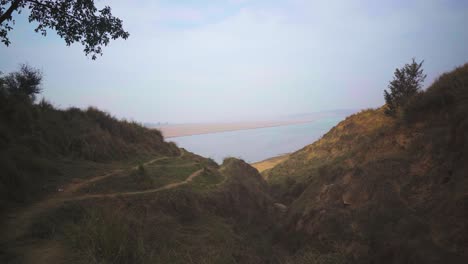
[217, 218]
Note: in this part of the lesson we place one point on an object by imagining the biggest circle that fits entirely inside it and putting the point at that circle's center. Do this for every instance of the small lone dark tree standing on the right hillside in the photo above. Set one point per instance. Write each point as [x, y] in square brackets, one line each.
[406, 83]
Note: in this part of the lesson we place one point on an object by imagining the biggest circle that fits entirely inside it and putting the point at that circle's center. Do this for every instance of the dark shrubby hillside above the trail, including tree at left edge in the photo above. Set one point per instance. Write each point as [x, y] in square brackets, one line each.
[37, 139]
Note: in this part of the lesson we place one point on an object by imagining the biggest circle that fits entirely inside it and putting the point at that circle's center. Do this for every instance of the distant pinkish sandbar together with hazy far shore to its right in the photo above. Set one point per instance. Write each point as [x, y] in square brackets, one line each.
[189, 129]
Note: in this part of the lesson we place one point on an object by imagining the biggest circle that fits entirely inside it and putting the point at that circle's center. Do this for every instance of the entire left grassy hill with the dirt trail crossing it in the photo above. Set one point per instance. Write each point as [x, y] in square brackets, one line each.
[215, 218]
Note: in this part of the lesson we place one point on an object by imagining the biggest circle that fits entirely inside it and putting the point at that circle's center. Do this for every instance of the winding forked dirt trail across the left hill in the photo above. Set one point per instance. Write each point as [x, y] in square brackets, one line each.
[16, 227]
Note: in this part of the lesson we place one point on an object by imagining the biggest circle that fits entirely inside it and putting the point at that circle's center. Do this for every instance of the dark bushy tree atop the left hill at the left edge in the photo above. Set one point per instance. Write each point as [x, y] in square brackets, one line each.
[22, 85]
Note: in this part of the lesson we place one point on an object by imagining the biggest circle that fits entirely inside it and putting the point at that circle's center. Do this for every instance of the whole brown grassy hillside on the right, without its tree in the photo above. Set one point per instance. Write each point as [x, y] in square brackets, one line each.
[385, 190]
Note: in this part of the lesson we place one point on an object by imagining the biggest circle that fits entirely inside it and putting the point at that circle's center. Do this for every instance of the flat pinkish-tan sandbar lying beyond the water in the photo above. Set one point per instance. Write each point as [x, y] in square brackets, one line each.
[183, 130]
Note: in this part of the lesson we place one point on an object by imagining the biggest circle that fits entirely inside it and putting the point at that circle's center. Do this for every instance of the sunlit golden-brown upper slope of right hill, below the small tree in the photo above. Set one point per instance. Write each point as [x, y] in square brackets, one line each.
[352, 137]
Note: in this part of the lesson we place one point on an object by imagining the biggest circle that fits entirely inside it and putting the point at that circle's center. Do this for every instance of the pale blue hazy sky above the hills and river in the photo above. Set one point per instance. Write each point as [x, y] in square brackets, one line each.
[233, 60]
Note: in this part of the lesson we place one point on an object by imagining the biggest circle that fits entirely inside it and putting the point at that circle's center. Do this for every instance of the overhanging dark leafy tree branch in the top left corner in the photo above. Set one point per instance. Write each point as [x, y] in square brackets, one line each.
[73, 20]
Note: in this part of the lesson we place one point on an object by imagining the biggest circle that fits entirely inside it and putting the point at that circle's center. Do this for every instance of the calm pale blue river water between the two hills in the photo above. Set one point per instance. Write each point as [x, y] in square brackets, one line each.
[256, 144]
